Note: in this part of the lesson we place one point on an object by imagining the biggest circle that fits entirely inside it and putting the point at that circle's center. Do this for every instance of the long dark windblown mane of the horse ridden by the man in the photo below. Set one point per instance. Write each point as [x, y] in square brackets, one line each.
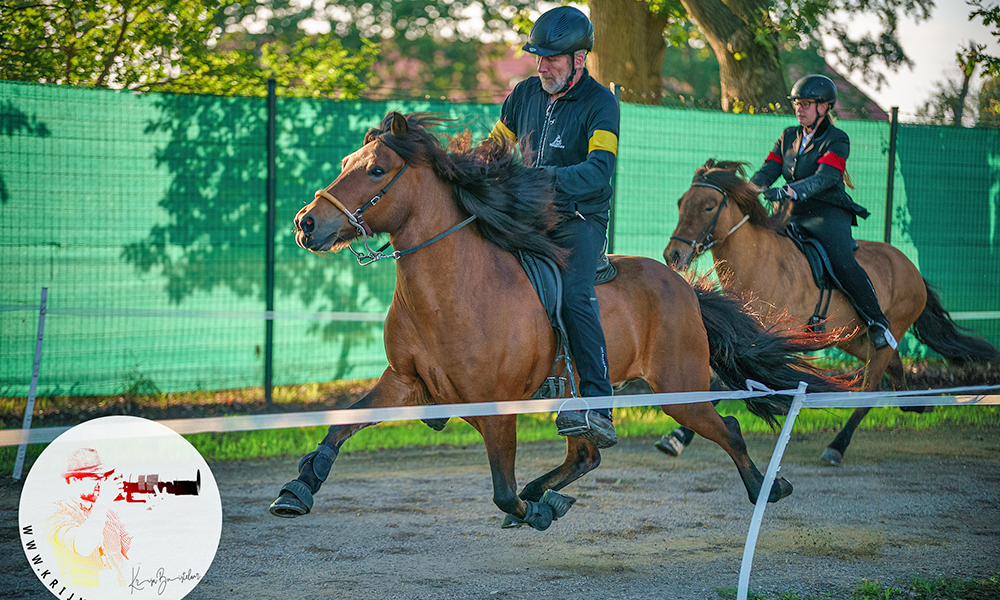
[513, 204]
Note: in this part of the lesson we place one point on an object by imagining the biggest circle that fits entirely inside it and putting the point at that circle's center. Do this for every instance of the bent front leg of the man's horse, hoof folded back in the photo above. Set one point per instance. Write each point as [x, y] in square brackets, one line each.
[500, 437]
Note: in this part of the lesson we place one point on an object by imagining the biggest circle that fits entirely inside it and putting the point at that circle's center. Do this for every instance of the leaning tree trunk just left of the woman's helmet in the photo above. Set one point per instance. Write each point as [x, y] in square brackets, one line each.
[749, 71]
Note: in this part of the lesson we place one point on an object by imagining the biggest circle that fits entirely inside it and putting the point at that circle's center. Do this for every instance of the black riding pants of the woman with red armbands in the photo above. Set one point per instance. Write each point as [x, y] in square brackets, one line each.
[831, 226]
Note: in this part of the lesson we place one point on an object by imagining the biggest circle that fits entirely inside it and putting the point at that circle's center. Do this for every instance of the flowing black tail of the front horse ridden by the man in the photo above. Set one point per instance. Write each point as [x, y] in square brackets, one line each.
[741, 349]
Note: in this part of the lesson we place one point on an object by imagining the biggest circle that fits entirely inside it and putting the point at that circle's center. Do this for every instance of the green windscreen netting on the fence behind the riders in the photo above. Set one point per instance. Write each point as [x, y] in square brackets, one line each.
[144, 216]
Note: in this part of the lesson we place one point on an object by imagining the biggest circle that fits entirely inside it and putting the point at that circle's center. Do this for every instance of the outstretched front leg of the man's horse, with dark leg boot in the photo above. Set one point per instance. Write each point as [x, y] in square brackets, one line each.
[296, 497]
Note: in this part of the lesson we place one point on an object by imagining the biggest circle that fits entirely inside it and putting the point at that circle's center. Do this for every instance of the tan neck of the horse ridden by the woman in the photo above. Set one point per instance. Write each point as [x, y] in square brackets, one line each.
[750, 257]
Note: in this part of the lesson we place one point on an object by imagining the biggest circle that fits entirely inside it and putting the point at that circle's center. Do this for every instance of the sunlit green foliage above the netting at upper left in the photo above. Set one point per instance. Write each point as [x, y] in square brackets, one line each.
[175, 46]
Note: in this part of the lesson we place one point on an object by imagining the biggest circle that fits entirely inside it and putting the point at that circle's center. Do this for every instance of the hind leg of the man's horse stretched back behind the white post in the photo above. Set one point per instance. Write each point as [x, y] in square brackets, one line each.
[703, 419]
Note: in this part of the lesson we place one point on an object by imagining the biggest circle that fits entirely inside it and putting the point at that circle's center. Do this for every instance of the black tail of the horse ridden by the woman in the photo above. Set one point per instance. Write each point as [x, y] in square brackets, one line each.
[935, 329]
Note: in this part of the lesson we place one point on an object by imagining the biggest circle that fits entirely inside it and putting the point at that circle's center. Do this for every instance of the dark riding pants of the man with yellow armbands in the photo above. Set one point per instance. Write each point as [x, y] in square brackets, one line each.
[580, 311]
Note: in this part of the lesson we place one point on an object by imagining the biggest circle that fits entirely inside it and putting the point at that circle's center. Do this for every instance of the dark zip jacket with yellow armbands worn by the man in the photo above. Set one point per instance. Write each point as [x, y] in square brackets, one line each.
[576, 137]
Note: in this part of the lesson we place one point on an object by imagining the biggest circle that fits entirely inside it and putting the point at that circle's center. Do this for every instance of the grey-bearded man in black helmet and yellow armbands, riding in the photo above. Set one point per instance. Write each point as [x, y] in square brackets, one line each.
[569, 124]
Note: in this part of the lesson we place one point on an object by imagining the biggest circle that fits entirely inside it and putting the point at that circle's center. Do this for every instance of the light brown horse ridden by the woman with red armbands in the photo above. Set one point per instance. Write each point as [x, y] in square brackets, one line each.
[721, 211]
